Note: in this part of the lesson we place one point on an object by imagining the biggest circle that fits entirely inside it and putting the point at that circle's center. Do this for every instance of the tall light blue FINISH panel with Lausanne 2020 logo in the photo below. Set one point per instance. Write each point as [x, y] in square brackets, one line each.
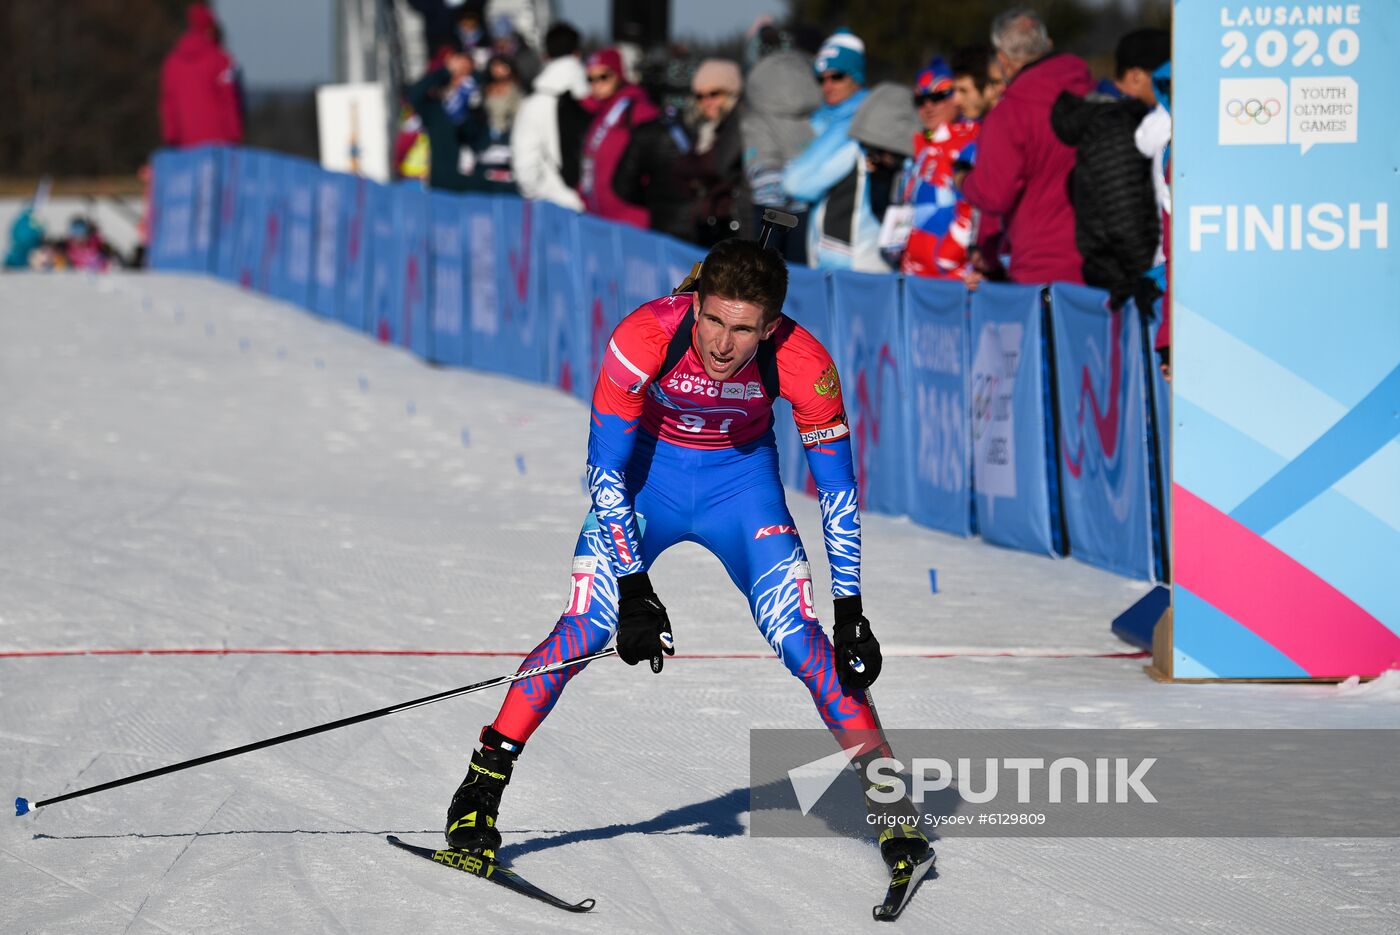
[1286, 339]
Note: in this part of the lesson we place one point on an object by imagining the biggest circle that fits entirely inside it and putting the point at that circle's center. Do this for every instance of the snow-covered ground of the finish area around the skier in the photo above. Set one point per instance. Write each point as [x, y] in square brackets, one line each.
[185, 465]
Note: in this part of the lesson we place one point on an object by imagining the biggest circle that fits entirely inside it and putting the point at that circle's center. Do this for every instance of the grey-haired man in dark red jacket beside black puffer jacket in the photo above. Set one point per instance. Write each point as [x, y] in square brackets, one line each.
[1021, 169]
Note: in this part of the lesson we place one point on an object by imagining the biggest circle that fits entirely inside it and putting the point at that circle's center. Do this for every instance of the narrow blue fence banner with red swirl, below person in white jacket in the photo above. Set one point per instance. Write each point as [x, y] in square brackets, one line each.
[517, 290]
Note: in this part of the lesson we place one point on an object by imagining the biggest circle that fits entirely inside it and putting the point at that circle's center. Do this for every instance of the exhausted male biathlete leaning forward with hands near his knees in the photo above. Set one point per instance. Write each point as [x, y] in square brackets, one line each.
[681, 450]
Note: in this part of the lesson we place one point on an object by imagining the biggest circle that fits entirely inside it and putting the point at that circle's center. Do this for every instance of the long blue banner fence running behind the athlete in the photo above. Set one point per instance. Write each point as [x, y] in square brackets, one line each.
[1018, 414]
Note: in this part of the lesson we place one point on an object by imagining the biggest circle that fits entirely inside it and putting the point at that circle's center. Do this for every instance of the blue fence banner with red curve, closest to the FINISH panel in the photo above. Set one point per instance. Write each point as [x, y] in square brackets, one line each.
[1104, 444]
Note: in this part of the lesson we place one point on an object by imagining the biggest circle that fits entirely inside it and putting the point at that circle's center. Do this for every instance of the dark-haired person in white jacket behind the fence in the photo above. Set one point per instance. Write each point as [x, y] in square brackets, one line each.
[537, 157]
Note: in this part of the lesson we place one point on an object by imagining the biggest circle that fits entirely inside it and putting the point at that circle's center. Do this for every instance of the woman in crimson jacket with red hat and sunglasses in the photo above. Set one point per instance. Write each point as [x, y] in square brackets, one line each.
[617, 107]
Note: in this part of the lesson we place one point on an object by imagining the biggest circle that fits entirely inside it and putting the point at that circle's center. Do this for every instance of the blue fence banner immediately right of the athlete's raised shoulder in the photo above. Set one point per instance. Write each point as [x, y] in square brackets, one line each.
[870, 328]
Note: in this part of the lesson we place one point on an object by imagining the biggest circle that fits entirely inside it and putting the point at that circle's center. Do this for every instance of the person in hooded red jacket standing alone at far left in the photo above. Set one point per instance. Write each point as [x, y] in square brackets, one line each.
[199, 87]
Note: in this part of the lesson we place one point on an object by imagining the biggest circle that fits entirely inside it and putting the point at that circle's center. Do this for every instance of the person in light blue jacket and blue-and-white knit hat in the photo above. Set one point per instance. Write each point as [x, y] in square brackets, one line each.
[821, 176]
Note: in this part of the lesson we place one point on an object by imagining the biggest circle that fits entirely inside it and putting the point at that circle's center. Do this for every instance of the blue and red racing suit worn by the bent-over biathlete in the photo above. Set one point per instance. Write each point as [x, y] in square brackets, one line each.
[678, 457]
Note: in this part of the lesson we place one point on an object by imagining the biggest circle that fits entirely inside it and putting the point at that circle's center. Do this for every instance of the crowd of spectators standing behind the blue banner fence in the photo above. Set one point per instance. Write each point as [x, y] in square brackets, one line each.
[1006, 162]
